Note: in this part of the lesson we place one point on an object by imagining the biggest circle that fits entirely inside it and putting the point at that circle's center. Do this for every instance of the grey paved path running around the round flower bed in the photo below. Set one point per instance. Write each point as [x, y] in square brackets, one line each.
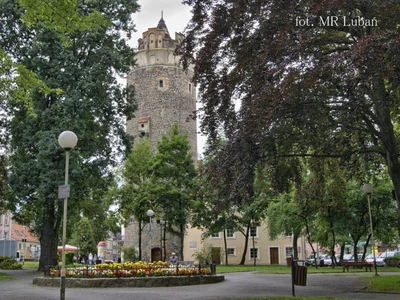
[236, 285]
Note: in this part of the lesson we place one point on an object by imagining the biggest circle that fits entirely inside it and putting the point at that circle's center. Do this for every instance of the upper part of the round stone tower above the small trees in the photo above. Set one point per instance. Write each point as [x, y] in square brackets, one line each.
[164, 92]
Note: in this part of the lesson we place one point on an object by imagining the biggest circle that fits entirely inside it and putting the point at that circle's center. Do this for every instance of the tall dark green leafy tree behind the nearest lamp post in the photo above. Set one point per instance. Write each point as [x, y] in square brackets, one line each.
[88, 100]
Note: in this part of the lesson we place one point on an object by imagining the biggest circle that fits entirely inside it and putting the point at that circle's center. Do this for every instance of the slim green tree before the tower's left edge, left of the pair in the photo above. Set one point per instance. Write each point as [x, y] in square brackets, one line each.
[136, 191]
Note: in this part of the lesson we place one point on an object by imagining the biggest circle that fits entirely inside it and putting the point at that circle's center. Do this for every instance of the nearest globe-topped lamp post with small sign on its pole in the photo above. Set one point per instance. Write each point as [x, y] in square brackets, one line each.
[67, 141]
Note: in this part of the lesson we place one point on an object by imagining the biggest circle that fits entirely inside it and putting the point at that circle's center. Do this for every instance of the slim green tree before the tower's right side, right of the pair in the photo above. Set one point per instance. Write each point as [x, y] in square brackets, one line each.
[174, 182]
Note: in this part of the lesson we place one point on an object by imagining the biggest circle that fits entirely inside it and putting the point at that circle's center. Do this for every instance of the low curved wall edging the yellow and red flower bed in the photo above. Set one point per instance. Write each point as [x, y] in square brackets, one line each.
[129, 282]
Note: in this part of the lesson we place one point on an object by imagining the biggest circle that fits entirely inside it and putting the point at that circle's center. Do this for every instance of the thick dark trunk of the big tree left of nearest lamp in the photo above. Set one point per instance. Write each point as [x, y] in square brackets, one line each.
[48, 238]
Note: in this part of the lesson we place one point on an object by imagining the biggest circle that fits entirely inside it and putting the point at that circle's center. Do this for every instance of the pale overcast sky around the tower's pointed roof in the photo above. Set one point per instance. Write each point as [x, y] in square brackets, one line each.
[176, 17]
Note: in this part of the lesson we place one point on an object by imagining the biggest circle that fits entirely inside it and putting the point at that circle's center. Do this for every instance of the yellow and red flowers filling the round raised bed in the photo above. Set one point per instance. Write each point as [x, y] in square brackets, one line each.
[132, 269]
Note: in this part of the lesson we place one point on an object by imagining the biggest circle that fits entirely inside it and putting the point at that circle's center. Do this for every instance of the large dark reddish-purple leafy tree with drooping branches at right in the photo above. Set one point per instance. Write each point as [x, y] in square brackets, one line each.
[277, 88]
